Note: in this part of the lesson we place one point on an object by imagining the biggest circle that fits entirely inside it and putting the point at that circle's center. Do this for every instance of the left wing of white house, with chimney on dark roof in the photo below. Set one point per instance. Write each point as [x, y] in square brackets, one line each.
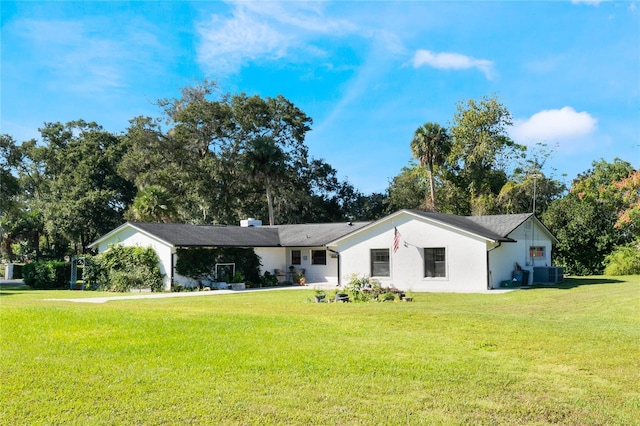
[303, 246]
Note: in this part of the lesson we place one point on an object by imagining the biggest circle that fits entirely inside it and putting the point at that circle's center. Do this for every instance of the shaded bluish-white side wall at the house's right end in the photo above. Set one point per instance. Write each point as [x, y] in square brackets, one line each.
[503, 260]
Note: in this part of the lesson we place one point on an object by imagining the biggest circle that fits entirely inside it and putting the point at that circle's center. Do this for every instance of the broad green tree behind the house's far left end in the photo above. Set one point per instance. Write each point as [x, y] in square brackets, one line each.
[71, 179]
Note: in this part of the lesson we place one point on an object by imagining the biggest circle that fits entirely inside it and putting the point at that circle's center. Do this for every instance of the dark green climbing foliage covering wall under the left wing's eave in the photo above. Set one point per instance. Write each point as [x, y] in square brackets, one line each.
[200, 263]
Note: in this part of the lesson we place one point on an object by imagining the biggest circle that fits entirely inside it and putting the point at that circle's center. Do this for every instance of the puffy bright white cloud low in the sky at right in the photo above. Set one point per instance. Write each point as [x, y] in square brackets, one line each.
[553, 125]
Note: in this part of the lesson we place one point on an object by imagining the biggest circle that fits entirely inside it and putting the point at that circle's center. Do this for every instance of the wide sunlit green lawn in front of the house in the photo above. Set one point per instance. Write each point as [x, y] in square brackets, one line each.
[566, 355]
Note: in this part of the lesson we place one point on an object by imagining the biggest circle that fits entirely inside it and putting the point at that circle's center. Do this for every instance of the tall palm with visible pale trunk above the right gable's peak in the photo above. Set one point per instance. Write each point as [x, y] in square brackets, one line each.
[430, 146]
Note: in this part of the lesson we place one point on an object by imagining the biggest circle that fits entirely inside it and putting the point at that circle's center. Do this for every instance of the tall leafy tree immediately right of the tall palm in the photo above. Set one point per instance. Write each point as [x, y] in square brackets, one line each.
[482, 150]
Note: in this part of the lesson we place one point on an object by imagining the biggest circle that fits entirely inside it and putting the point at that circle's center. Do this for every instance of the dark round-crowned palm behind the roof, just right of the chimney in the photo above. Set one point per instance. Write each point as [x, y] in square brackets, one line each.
[266, 162]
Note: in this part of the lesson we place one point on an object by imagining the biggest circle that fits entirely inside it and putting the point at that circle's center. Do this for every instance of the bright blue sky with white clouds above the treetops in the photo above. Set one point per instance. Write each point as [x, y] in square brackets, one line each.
[368, 73]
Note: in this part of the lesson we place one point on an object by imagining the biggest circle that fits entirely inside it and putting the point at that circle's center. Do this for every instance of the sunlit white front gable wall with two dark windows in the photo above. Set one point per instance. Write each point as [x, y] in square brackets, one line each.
[466, 255]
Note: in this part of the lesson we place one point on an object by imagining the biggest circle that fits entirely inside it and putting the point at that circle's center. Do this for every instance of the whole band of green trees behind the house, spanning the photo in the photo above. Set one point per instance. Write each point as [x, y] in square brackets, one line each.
[216, 158]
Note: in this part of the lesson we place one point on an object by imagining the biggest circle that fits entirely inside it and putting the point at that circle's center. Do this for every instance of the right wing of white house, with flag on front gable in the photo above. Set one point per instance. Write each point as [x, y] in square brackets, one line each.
[426, 251]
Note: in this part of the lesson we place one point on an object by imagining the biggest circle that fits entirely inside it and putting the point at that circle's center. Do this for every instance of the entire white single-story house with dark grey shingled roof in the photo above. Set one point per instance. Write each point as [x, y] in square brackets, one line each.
[409, 249]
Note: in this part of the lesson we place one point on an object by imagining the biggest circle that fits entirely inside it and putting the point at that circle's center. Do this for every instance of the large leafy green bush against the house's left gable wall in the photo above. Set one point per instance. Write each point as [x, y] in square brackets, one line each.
[121, 269]
